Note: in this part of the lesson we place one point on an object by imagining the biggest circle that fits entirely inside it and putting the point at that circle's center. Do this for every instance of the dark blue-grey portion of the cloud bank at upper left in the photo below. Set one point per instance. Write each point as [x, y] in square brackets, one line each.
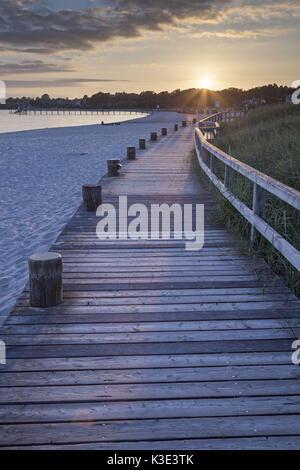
[31, 26]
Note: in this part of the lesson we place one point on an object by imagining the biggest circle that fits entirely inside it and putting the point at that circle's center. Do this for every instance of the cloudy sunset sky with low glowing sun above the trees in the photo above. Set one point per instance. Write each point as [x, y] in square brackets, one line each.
[69, 48]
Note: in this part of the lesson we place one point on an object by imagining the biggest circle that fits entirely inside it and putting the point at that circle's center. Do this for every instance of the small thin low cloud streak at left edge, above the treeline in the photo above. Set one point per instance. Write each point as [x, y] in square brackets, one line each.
[33, 66]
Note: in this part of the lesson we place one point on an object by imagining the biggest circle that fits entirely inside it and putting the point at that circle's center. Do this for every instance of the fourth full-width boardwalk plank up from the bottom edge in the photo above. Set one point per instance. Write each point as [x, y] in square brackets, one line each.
[157, 375]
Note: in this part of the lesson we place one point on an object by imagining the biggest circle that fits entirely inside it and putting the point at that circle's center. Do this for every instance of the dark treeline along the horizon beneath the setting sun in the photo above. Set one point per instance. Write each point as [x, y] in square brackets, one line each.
[193, 98]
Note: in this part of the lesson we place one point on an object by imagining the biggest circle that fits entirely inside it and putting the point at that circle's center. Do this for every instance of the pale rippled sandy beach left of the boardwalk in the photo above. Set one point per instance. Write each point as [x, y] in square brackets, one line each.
[41, 175]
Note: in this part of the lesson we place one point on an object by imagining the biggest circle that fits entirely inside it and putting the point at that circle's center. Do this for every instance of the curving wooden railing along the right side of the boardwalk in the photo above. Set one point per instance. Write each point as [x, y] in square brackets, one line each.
[210, 155]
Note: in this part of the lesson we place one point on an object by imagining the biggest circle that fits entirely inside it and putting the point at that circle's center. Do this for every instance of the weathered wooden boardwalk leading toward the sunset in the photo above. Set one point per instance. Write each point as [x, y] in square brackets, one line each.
[154, 347]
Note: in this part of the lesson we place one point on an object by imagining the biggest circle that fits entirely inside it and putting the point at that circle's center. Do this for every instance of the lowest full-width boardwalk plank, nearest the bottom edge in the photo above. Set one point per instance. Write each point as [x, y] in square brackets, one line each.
[162, 429]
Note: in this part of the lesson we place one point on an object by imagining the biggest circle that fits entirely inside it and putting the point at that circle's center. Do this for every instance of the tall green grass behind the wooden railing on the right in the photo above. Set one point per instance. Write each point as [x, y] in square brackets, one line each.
[267, 139]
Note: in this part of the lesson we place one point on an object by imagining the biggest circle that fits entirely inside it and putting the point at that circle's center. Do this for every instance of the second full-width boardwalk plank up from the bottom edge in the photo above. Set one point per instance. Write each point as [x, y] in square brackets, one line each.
[151, 409]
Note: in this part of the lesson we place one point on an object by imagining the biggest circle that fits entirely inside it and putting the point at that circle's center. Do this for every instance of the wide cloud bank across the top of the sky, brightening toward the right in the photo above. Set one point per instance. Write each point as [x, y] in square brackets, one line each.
[30, 26]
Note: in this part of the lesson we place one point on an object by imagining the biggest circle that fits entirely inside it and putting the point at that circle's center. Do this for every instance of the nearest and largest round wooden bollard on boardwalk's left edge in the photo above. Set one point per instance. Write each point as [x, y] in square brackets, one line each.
[45, 279]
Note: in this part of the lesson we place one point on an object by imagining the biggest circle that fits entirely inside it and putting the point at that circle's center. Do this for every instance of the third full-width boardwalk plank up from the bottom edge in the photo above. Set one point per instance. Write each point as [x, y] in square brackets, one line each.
[167, 391]
